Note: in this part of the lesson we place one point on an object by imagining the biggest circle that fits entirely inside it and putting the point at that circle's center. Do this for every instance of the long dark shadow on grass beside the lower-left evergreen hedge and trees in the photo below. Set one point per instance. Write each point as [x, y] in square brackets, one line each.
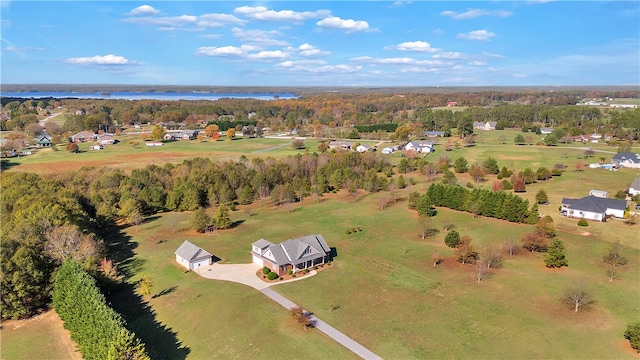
[161, 342]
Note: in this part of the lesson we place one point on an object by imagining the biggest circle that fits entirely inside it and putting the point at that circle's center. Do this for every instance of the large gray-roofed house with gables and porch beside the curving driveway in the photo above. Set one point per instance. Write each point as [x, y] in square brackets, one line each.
[294, 254]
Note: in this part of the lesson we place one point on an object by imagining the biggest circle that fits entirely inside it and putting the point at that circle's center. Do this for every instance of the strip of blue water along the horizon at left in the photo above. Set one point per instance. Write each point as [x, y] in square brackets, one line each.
[146, 95]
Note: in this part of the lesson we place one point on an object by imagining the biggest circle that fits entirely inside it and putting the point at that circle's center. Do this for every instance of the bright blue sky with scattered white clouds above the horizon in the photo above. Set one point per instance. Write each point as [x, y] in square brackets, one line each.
[327, 43]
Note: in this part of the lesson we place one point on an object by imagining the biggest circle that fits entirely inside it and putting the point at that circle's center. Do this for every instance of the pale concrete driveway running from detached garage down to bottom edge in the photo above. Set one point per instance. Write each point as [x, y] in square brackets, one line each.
[246, 274]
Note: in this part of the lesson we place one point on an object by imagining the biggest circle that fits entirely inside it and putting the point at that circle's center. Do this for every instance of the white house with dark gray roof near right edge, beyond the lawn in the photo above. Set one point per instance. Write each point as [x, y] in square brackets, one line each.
[593, 208]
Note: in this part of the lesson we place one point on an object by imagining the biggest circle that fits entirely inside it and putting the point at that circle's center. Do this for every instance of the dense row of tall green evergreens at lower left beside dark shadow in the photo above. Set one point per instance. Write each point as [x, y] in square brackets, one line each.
[98, 330]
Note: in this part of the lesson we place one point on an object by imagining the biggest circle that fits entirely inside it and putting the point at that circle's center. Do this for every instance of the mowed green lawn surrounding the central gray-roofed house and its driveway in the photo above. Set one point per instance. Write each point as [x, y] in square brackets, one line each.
[388, 295]
